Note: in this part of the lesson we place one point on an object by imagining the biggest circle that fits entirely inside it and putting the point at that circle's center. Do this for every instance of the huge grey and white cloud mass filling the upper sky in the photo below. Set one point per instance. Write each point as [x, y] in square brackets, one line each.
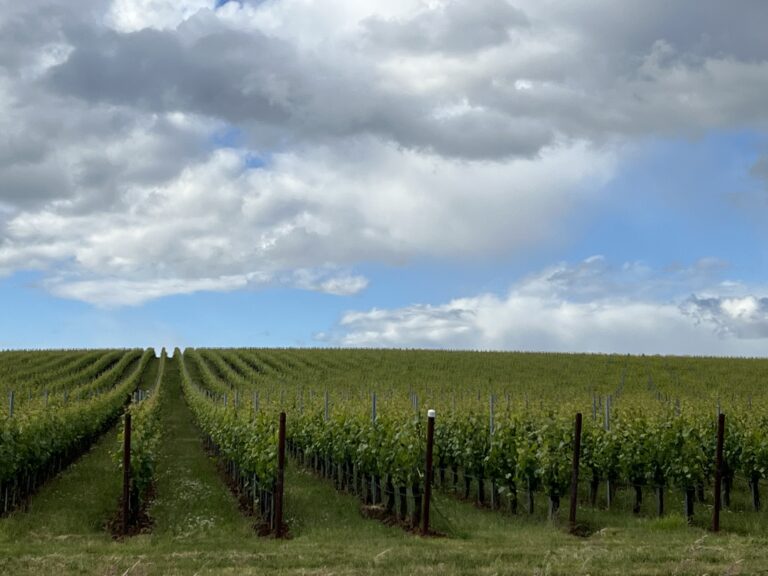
[381, 130]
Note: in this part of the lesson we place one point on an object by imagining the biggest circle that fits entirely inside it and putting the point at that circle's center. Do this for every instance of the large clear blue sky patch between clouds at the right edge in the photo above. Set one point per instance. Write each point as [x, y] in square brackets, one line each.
[673, 203]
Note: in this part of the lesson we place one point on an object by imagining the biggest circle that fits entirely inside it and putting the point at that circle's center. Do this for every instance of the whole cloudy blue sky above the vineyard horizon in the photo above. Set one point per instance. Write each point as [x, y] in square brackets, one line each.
[539, 175]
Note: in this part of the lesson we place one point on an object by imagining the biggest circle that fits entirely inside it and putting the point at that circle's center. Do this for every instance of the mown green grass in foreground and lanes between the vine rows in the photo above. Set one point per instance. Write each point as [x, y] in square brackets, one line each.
[198, 529]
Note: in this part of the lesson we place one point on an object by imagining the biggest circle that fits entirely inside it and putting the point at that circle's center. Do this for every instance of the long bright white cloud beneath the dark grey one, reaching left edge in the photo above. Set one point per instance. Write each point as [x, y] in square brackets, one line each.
[301, 222]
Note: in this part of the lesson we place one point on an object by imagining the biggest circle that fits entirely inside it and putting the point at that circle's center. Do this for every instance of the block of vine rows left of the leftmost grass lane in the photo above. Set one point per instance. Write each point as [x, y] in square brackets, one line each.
[55, 412]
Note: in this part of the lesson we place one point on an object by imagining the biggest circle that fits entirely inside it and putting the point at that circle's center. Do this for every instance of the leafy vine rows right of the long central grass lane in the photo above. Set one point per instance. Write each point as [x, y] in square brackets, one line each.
[504, 431]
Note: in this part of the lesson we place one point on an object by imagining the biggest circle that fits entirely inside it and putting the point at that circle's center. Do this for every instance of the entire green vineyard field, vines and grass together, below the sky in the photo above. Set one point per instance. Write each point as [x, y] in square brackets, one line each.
[214, 399]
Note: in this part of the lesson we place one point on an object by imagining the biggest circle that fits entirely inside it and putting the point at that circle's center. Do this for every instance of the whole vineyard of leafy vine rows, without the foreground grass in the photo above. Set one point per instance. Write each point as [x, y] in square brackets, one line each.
[356, 423]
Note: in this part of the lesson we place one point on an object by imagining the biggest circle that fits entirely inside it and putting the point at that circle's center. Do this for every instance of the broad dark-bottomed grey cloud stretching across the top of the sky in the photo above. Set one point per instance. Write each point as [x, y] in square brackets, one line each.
[514, 80]
